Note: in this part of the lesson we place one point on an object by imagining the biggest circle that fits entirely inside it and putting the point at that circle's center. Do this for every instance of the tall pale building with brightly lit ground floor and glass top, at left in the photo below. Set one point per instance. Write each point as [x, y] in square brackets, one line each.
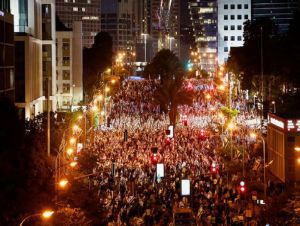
[35, 54]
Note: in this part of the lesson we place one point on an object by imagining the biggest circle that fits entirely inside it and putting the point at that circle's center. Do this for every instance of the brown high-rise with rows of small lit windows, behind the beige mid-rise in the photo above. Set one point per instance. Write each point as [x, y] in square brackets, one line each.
[87, 11]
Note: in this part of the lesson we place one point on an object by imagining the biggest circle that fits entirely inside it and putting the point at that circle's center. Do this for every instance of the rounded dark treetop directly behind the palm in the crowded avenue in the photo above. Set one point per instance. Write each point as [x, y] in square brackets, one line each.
[165, 65]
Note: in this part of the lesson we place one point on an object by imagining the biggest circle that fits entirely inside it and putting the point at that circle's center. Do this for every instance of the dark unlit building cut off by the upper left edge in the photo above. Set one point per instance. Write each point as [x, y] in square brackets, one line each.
[7, 73]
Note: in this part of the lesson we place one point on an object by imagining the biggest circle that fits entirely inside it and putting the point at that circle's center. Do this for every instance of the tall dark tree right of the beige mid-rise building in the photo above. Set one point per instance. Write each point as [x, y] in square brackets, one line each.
[96, 60]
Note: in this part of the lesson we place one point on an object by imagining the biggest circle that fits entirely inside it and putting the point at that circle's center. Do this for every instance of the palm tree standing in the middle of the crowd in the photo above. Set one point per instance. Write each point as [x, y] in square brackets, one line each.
[170, 95]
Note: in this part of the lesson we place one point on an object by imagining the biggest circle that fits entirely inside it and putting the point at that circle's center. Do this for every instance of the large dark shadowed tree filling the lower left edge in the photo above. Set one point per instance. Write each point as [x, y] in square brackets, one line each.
[25, 170]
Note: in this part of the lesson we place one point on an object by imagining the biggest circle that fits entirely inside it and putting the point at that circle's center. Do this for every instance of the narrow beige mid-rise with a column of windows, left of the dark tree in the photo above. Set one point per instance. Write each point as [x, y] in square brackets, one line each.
[69, 67]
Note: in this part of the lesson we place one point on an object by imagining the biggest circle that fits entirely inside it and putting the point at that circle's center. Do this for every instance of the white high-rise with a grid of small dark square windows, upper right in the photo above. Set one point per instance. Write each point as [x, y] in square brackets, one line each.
[231, 17]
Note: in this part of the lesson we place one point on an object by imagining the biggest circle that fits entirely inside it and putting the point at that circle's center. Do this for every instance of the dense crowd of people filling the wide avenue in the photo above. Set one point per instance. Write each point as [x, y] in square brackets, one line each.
[131, 193]
